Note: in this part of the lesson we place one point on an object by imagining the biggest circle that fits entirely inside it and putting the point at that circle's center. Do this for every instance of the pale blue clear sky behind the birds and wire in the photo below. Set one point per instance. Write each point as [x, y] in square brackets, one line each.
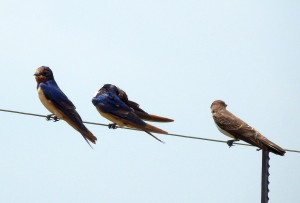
[174, 58]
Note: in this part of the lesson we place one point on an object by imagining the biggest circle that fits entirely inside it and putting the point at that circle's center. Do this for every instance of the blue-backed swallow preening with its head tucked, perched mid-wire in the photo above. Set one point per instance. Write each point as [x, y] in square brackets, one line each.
[113, 104]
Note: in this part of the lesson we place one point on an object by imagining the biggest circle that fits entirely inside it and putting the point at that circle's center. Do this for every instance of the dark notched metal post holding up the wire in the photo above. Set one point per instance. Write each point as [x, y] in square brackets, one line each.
[265, 176]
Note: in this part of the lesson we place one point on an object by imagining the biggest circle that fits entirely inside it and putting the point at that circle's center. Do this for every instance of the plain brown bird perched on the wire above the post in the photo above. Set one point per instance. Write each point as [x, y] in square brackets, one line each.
[237, 129]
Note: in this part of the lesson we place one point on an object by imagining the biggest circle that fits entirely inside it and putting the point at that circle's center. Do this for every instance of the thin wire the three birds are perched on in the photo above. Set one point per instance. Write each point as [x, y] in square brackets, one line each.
[170, 134]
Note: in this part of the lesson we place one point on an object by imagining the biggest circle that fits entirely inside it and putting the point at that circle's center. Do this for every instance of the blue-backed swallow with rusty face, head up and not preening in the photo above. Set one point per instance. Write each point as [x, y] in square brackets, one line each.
[58, 103]
